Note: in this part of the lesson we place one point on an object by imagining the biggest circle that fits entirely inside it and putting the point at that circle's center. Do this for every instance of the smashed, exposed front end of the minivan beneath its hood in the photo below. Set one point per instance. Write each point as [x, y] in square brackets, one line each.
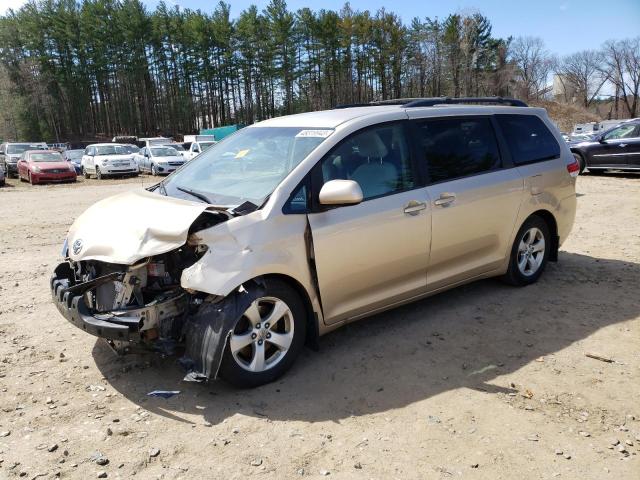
[143, 306]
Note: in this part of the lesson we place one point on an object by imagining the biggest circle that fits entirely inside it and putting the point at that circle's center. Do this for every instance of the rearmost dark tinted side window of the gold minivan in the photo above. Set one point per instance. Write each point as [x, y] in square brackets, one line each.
[528, 138]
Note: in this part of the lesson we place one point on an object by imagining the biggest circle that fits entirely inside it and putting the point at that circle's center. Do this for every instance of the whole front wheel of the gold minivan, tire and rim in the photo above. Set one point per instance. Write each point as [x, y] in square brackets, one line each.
[267, 338]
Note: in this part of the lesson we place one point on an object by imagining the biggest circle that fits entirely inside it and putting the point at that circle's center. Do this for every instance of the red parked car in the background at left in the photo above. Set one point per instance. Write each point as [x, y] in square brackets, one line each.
[37, 166]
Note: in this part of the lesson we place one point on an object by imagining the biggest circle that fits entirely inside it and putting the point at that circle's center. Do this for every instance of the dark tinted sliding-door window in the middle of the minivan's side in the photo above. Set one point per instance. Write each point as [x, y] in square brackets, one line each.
[457, 147]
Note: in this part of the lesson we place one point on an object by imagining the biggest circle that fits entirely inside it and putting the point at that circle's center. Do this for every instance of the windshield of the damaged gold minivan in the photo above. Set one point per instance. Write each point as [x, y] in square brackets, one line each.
[246, 166]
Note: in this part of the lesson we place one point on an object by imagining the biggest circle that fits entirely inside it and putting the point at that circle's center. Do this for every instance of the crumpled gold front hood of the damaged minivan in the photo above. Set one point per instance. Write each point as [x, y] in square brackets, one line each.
[130, 226]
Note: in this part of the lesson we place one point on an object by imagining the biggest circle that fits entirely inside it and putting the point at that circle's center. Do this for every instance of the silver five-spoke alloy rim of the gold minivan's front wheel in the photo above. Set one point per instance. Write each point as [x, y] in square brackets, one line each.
[263, 335]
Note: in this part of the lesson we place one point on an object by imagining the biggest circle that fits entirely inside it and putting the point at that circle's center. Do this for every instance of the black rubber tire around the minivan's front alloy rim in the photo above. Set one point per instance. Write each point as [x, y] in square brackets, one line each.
[238, 376]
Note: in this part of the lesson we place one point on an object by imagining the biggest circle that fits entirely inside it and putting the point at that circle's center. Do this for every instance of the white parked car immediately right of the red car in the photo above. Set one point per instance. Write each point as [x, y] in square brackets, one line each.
[102, 159]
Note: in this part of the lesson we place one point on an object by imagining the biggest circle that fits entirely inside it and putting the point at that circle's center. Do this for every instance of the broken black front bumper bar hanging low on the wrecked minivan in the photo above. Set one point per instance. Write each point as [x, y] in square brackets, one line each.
[72, 306]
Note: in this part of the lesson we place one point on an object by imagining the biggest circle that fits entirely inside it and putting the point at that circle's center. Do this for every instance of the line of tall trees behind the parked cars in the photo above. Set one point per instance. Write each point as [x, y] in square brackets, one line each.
[80, 69]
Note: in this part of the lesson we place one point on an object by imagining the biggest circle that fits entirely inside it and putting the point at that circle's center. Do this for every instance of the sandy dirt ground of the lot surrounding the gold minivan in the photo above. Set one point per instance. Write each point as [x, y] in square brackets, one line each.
[485, 381]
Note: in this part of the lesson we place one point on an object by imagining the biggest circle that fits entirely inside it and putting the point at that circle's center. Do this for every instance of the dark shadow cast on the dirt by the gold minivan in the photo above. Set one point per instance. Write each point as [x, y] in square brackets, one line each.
[463, 338]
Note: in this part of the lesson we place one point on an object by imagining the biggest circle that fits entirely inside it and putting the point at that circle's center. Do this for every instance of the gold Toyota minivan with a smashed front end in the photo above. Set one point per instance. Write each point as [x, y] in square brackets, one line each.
[297, 225]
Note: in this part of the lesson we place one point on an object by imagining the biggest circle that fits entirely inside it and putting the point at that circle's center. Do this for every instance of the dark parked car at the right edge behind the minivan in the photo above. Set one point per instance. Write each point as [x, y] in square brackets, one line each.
[615, 149]
